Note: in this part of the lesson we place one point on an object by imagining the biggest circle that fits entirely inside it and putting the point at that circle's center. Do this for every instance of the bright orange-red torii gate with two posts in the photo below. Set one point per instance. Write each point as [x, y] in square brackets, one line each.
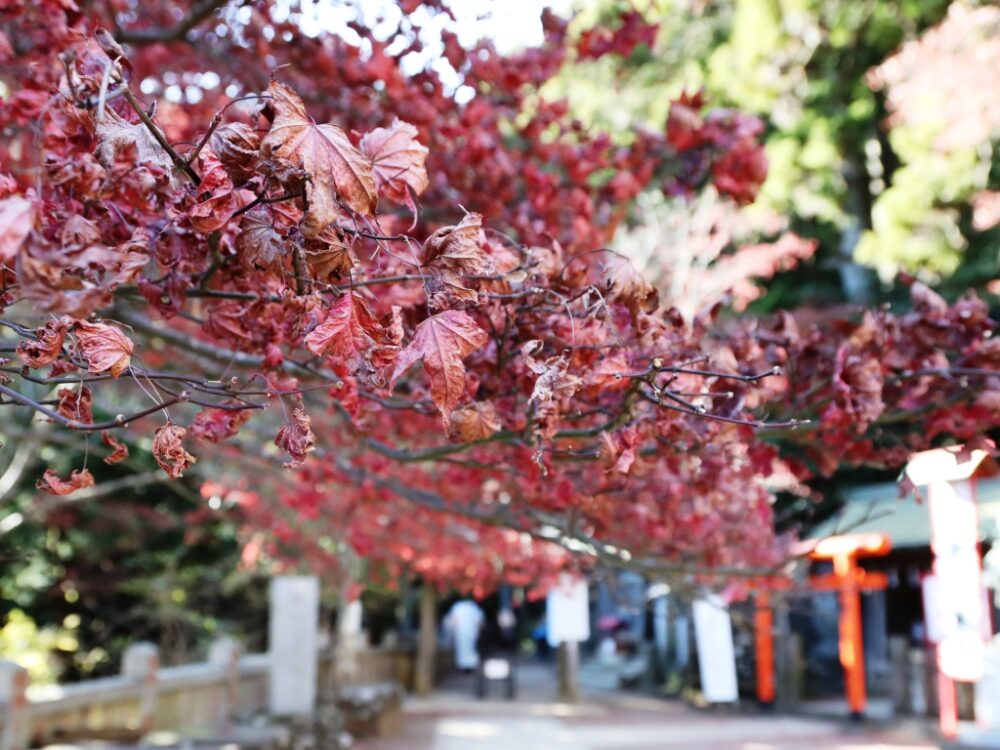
[849, 579]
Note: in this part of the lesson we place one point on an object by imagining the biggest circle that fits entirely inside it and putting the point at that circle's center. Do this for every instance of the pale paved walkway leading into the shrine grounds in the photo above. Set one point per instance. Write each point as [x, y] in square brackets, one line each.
[453, 720]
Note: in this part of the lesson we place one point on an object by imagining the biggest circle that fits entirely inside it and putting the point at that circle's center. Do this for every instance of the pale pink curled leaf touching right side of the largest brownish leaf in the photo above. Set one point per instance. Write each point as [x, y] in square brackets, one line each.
[398, 160]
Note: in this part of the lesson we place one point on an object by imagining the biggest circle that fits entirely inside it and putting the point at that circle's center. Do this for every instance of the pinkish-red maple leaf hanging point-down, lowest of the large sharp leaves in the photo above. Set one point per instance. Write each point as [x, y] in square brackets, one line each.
[441, 341]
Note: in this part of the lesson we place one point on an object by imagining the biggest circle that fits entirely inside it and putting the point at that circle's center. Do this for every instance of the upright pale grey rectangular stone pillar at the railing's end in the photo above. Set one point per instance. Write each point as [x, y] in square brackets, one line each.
[293, 637]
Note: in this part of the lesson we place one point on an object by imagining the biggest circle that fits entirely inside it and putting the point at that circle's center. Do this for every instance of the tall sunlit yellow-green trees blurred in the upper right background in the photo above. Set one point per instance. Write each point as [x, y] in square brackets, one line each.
[878, 187]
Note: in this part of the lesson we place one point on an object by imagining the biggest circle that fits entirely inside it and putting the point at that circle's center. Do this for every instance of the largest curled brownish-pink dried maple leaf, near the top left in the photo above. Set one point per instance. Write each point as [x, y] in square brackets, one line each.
[335, 167]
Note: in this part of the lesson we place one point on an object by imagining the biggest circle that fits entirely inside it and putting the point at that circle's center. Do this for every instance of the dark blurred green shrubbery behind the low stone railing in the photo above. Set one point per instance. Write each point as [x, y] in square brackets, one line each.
[84, 577]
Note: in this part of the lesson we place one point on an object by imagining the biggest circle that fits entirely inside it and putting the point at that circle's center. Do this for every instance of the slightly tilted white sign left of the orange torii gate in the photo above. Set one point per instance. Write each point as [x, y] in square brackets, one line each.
[713, 634]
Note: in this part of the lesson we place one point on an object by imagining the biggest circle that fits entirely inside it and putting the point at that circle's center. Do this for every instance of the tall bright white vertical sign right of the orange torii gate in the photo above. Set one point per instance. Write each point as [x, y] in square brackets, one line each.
[955, 618]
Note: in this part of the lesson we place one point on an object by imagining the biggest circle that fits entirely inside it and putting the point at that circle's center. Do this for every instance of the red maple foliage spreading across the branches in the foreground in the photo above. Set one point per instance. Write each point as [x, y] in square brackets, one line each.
[275, 252]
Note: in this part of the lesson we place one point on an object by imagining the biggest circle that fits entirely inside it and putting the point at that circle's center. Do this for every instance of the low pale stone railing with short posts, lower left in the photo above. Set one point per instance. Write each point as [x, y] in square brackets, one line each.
[194, 700]
